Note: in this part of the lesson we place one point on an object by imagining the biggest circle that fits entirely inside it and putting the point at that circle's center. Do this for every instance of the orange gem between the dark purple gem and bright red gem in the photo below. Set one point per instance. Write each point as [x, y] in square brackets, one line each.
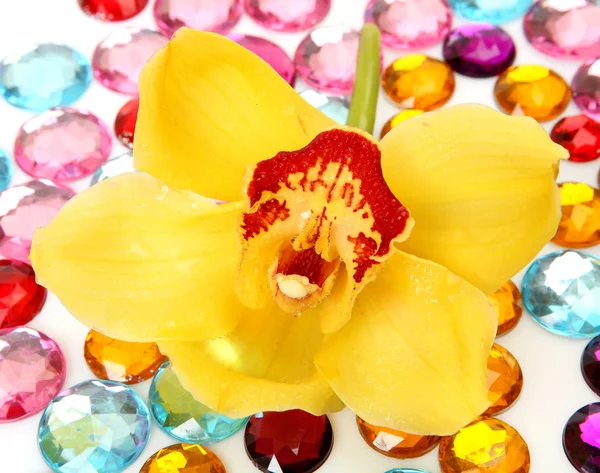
[532, 90]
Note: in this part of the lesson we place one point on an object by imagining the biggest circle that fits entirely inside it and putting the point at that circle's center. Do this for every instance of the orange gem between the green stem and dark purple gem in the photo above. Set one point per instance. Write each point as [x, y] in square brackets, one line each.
[419, 81]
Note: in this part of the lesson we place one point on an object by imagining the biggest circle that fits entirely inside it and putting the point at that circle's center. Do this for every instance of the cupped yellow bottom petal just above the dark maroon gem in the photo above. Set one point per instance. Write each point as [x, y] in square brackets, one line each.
[266, 364]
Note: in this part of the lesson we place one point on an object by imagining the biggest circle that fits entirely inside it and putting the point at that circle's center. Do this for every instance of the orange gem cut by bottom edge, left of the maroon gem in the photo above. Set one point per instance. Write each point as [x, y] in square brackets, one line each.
[182, 458]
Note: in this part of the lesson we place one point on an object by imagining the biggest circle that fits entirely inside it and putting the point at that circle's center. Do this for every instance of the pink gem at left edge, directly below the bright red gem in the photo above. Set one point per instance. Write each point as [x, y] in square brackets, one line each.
[32, 371]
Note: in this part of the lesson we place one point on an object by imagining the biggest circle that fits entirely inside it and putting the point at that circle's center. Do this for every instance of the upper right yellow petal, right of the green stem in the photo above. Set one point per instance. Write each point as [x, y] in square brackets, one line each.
[480, 186]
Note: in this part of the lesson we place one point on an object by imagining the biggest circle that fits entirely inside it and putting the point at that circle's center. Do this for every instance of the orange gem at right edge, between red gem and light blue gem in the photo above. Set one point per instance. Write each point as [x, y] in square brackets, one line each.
[580, 223]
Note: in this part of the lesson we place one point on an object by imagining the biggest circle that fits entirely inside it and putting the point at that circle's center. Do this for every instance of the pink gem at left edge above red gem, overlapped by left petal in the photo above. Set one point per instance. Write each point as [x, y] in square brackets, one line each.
[23, 209]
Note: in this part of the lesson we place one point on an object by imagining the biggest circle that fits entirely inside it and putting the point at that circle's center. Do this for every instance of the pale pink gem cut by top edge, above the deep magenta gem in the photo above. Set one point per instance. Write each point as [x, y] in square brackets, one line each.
[287, 15]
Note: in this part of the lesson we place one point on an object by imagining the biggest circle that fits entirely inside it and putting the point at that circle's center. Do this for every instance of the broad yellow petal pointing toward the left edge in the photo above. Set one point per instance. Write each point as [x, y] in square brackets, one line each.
[139, 261]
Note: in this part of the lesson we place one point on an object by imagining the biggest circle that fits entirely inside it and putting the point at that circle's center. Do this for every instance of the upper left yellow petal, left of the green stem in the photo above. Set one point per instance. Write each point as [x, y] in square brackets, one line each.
[209, 108]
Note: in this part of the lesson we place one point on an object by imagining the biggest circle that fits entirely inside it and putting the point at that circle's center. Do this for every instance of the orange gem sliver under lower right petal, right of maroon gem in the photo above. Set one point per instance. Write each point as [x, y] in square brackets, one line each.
[394, 443]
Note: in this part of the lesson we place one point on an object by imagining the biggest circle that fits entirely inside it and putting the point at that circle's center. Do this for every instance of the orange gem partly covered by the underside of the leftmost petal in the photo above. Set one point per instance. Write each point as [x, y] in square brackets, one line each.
[126, 362]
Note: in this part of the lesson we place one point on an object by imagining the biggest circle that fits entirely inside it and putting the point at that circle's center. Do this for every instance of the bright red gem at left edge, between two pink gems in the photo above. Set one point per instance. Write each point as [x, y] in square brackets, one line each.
[21, 298]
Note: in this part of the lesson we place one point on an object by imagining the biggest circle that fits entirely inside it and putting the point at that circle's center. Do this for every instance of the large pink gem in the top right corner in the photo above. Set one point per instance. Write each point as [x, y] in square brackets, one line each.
[565, 29]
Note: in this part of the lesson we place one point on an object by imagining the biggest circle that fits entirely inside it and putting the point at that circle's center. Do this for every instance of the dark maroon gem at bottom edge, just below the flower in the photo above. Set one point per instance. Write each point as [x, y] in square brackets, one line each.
[291, 441]
